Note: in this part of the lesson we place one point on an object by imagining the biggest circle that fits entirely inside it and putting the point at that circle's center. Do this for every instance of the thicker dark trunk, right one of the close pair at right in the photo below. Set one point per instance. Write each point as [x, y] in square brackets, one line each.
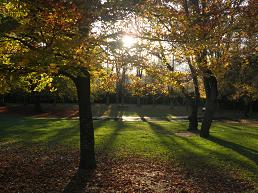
[210, 85]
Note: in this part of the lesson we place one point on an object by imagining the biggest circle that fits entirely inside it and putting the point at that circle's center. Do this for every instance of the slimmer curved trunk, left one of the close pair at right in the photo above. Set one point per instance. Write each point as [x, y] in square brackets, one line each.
[193, 118]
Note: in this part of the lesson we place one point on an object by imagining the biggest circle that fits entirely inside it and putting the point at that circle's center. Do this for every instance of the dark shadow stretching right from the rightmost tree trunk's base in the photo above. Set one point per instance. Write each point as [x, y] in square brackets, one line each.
[244, 151]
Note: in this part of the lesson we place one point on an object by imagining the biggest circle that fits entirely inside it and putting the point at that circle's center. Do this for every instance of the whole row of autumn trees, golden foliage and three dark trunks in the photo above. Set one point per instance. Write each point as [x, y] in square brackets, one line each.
[82, 40]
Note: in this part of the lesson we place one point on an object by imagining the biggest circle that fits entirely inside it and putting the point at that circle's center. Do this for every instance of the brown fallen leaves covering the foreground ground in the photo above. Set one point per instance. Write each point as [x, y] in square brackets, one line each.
[54, 169]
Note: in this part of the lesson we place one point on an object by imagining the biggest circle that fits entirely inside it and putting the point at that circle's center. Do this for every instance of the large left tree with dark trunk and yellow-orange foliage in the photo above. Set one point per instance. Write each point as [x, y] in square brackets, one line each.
[61, 37]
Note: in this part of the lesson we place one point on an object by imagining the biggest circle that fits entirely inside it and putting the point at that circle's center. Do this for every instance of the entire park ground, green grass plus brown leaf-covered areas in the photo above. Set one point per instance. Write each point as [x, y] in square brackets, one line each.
[40, 153]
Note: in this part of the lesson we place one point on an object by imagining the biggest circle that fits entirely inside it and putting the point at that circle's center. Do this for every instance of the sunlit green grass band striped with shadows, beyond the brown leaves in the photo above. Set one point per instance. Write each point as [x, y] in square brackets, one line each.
[231, 147]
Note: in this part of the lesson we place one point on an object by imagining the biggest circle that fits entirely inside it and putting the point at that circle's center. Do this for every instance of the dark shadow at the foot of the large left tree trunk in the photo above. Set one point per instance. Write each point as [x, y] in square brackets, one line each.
[78, 183]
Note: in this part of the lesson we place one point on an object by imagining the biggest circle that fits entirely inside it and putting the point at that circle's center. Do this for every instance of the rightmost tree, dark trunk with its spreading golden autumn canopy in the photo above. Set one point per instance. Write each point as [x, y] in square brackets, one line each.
[196, 28]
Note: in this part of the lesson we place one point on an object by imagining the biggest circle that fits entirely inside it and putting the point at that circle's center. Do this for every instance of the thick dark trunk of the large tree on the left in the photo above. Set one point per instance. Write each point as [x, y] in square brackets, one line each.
[87, 153]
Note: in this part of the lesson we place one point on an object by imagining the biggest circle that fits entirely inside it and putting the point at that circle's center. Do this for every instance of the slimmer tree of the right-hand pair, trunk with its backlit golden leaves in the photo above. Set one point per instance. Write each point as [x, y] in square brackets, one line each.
[167, 27]
